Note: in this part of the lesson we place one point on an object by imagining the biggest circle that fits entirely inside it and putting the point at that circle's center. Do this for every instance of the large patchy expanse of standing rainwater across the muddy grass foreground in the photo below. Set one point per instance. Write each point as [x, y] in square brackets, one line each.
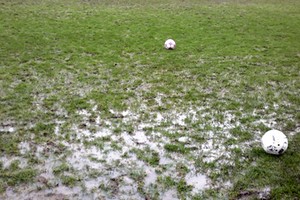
[112, 169]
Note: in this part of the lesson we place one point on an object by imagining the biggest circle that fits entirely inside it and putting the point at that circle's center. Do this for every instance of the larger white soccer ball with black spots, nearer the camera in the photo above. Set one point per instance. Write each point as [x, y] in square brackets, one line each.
[274, 142]
